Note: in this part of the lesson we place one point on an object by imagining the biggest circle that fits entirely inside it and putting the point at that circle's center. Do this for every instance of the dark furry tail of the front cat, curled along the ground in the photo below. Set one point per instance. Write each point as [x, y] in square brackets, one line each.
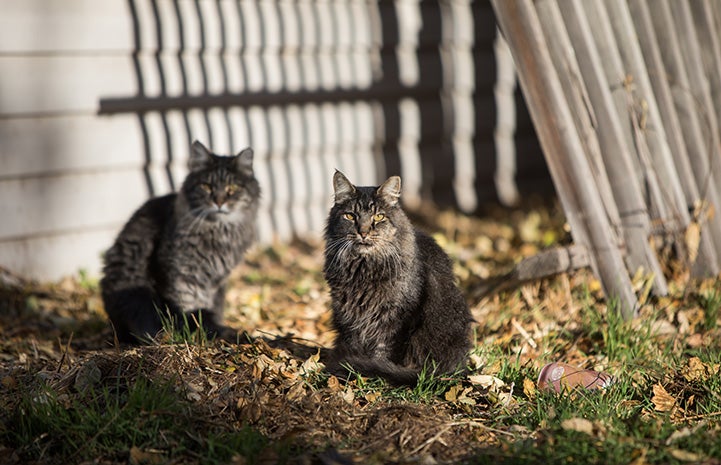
[374, 367]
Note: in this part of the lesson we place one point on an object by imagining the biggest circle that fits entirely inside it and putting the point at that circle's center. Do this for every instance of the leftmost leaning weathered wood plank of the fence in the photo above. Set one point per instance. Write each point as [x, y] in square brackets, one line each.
[561, 144]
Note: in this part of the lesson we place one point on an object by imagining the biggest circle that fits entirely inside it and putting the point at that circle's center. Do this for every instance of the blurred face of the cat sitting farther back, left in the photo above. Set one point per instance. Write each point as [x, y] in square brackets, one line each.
[220, 188]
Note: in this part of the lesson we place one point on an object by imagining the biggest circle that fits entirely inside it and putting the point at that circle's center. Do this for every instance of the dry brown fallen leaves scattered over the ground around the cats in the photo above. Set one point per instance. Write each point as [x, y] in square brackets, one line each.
[56, 335]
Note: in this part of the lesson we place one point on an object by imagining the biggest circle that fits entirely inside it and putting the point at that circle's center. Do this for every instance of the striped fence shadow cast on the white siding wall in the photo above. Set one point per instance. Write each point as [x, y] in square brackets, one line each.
[313, 87]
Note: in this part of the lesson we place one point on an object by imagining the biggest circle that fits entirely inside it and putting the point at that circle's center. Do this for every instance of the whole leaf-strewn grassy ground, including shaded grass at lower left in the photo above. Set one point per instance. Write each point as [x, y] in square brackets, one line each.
[187, 399]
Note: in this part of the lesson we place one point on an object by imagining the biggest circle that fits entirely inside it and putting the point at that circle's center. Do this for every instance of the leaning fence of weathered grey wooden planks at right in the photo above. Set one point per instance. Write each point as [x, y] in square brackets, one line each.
[625, 96]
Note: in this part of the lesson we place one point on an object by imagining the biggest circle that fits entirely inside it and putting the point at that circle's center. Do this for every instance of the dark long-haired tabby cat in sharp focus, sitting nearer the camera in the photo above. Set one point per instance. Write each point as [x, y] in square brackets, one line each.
[395, 305]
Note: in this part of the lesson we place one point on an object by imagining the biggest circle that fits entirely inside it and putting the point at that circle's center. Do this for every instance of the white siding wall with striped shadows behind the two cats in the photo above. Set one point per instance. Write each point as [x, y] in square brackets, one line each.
[100, 99]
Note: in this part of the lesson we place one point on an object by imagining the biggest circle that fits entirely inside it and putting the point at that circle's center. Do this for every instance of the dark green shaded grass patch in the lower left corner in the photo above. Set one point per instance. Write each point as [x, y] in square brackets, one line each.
[145, 420]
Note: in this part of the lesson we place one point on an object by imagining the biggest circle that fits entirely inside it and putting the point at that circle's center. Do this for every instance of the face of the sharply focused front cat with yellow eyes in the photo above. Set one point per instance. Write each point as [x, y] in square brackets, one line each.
[364, 220]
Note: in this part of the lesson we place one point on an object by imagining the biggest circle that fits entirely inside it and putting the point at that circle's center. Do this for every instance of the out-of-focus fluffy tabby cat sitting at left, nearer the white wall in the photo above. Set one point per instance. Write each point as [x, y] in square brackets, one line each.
[174, 255]
